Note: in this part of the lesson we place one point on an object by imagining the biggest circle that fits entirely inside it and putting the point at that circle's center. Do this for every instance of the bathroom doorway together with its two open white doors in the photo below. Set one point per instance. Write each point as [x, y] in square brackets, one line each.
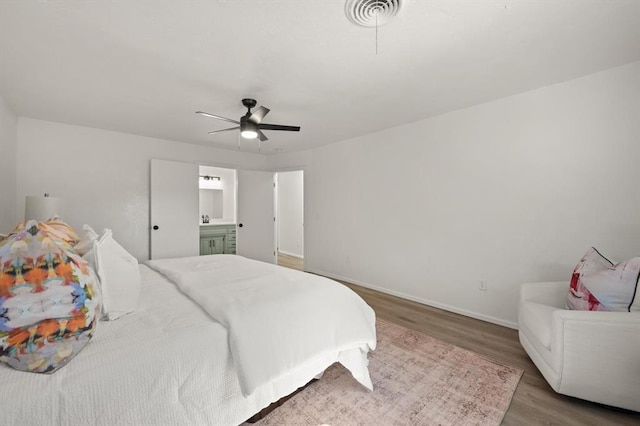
[177, 208]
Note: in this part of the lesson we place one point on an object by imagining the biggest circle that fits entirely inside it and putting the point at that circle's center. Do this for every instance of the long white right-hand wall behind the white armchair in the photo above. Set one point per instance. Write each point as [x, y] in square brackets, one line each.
[510, 191]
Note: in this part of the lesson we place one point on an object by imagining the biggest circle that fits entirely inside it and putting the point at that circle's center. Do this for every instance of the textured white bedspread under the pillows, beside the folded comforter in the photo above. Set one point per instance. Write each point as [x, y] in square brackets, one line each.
[167, 363]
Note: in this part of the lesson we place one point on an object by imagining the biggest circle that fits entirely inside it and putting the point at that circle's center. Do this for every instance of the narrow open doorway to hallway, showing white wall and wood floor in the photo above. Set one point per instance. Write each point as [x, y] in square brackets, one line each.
[289, 196]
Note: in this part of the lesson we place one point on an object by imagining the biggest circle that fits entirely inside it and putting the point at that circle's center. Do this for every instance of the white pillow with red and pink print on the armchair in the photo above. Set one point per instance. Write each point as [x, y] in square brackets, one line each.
[597, 284]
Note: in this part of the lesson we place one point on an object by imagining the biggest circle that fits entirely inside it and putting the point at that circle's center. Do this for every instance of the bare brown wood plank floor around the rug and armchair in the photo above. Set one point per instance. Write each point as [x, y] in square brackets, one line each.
[534, 402]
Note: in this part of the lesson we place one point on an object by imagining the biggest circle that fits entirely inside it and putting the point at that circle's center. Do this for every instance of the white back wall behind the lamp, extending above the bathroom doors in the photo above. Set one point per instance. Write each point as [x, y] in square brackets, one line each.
[103, 176]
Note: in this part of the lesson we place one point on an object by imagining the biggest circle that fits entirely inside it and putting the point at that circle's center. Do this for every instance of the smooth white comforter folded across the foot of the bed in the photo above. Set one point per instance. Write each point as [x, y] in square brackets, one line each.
[277, 318]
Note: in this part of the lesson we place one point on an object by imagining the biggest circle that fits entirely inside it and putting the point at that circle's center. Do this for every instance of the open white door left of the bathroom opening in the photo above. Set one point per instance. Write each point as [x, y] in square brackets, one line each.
[174, 211]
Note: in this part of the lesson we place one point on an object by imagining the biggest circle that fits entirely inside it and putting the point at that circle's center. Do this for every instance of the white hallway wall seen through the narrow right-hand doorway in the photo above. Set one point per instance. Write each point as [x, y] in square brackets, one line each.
[290, 213]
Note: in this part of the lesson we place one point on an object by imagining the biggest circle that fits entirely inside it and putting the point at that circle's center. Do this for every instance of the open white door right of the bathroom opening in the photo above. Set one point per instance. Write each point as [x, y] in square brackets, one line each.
[256, 226]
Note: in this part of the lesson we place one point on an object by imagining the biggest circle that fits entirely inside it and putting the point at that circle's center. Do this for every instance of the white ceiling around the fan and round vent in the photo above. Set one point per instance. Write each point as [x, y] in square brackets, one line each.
[145, 66]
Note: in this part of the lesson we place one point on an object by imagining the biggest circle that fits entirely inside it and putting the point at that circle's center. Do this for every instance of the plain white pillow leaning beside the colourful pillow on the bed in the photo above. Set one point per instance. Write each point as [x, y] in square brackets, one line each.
[118, 273]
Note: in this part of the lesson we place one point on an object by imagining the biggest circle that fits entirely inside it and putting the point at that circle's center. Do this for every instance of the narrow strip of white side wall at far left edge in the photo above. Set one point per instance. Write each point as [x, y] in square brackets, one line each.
[8, 168]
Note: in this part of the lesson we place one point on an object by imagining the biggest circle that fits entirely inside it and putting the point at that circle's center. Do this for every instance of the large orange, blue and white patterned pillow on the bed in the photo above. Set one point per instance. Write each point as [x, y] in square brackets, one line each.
[50, 300]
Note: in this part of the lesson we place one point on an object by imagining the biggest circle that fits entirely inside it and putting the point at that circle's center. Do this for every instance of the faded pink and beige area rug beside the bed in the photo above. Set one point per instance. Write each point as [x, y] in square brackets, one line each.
[417, 379]
